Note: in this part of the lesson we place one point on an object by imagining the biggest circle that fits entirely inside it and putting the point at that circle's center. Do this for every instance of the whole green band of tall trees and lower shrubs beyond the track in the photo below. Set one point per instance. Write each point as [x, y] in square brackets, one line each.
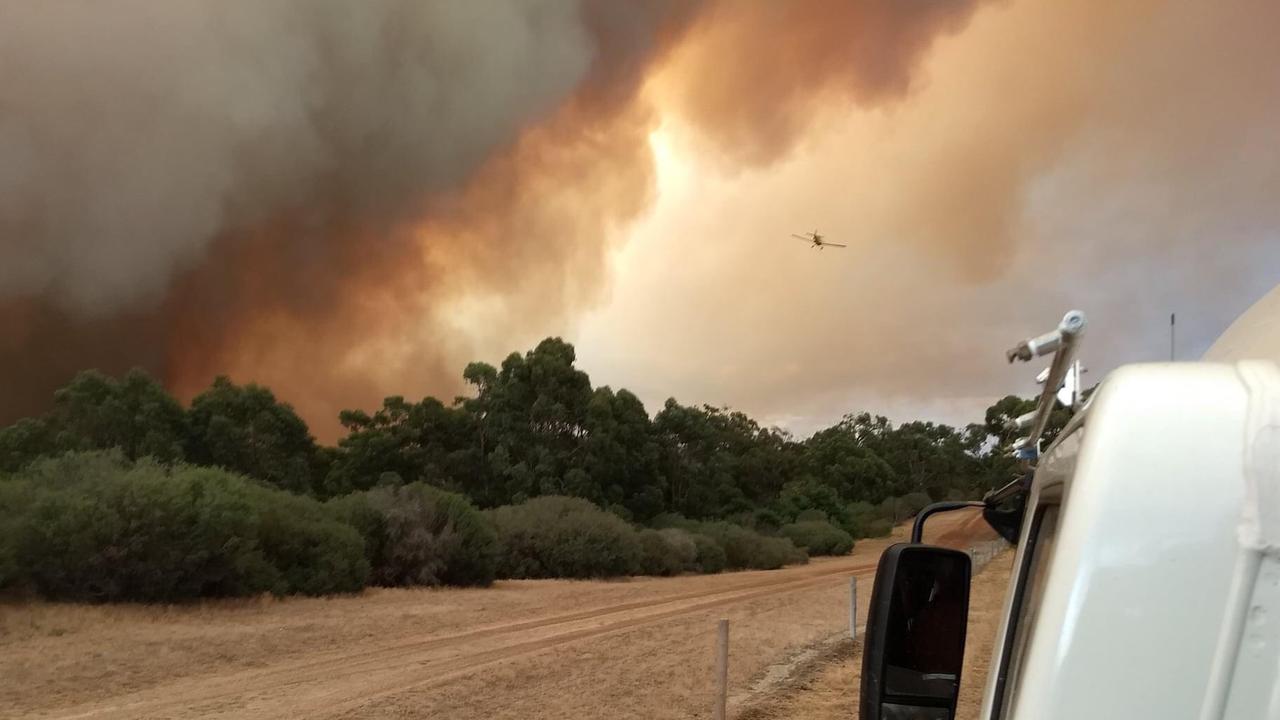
[121, 493]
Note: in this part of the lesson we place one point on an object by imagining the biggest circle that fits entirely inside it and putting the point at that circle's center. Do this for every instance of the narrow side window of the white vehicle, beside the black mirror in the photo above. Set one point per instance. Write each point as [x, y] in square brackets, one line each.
[1027, 607]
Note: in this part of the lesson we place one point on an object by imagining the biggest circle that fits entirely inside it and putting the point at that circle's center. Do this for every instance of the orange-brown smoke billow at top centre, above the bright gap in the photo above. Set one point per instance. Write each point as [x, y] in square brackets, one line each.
[752, 78]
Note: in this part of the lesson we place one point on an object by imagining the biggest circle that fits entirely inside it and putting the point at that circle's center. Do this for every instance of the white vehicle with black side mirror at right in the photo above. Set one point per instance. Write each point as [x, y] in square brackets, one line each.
[1148, 576]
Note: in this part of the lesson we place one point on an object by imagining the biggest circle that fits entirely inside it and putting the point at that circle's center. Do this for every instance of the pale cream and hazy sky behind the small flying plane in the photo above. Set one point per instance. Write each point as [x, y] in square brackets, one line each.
[1151, 194]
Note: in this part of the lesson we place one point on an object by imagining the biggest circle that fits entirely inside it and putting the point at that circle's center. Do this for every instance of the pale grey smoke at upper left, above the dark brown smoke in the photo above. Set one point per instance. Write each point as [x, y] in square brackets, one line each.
[132, 134]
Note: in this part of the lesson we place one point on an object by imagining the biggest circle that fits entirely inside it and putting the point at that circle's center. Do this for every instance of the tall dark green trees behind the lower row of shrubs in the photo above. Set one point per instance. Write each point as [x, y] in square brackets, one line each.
[533, 427]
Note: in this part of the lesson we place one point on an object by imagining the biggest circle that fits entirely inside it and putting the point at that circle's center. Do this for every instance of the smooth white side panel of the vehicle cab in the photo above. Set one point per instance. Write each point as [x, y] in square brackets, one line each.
[1151, 485]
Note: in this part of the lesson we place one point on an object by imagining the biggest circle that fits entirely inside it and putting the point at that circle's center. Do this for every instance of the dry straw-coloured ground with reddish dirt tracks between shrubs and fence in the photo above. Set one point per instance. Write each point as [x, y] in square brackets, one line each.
[543, 649]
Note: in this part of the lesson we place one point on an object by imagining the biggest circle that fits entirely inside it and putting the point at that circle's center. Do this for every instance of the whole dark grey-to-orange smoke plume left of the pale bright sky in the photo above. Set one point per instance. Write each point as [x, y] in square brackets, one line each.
[345, 200]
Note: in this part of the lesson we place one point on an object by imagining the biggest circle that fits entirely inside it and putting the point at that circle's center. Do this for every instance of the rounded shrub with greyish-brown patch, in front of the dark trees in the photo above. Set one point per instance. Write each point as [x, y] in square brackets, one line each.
[420, 536]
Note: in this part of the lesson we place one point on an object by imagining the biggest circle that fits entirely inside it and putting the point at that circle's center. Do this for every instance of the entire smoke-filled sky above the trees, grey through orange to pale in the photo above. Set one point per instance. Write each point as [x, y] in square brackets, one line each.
[353, 202]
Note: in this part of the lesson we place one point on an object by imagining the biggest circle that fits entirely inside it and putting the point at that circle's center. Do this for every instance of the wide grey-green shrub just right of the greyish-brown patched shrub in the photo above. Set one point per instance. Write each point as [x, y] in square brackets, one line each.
[564, 537]
